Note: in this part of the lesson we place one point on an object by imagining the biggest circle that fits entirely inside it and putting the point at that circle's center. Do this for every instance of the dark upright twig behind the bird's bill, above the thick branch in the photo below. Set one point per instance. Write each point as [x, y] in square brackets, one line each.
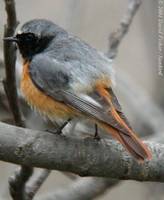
[9, 61]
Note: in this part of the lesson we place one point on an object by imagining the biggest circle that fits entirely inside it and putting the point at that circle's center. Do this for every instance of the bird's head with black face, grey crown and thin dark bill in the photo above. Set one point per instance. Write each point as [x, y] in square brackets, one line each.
[34, 36]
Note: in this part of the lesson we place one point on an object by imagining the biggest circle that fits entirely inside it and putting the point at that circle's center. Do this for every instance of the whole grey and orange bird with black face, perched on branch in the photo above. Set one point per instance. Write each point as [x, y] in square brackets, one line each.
[63, 77]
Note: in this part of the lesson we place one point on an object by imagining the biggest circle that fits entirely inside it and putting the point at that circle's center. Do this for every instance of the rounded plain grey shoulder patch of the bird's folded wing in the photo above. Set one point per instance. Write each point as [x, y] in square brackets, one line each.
[48, 75]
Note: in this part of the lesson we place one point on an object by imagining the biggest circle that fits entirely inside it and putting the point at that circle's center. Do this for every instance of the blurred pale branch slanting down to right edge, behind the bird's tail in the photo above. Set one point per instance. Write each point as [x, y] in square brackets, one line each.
[138, 100]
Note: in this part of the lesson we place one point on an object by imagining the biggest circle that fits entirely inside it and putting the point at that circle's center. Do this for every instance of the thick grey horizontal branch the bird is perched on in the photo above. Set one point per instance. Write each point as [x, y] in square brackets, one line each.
[86, 157]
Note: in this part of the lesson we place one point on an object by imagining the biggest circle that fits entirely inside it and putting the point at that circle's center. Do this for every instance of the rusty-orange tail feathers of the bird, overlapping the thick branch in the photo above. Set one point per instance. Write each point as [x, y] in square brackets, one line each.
[128, 139]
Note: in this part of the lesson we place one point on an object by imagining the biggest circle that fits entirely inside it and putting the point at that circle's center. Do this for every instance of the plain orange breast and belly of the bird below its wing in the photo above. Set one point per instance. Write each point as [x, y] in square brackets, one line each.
[43, 103]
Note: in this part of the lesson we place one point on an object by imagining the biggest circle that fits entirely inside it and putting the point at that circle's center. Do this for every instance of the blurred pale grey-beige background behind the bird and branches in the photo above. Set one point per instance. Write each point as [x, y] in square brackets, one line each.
[139, 86]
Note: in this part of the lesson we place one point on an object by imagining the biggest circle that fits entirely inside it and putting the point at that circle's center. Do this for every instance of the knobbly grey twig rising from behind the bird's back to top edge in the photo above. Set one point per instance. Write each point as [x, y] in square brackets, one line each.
[116, 37]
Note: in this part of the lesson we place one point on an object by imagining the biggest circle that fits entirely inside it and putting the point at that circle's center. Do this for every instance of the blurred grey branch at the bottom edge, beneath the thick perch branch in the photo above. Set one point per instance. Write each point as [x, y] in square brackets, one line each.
[83, 188]
